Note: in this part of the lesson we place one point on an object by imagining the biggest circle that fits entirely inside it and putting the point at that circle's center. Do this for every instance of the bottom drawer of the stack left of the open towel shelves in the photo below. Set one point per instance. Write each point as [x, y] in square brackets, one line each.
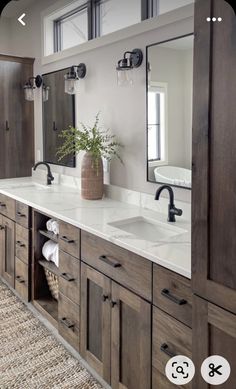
[22, 279]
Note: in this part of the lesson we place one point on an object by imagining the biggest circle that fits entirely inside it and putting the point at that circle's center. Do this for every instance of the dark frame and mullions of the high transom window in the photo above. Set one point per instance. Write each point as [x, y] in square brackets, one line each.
[149, 9]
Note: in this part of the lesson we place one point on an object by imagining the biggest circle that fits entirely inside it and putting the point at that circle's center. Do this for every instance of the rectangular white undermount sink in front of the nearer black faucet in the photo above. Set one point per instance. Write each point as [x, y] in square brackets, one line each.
[148, 229]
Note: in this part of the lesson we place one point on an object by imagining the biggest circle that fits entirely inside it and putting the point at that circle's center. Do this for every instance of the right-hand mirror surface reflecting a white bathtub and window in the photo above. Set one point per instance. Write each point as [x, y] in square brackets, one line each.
[169, 111]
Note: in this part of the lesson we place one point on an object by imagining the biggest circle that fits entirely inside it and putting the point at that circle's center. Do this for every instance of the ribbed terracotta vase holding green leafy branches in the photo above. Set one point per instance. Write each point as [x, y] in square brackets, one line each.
[91, 178]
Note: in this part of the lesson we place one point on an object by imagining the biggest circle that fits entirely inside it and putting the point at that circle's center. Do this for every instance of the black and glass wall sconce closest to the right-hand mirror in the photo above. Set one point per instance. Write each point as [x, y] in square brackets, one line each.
[132, 59]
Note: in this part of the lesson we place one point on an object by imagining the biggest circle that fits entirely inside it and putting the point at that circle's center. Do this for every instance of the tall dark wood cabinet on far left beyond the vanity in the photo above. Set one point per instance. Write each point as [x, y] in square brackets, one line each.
[16, 118]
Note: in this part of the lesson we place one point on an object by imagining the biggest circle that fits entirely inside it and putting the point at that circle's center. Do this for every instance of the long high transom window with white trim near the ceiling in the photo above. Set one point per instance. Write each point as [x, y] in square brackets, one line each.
[94, 18]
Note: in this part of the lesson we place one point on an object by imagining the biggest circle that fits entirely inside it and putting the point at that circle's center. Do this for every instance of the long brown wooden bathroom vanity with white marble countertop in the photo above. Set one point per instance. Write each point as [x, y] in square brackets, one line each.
[124, 313]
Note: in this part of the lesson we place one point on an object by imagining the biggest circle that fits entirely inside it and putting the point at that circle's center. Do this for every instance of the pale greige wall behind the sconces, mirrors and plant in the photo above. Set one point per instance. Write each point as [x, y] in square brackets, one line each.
[123, 109]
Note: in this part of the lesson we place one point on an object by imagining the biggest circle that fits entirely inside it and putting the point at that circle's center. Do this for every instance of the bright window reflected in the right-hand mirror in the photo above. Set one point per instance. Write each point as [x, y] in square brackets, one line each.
[157, 123]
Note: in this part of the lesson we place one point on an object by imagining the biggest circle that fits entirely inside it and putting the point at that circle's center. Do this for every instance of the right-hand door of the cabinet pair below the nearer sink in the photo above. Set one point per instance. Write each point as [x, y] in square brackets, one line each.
[131, 340]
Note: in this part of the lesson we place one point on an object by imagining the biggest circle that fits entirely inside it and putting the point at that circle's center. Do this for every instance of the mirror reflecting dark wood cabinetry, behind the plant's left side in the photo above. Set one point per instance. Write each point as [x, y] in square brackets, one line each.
[58, 114]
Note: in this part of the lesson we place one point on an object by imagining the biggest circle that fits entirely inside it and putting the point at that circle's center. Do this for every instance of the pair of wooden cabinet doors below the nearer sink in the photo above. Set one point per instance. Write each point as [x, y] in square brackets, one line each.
[115, 331]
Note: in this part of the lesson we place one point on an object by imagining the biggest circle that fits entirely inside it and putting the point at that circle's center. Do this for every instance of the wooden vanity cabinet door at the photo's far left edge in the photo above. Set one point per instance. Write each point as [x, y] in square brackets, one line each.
[9, 251]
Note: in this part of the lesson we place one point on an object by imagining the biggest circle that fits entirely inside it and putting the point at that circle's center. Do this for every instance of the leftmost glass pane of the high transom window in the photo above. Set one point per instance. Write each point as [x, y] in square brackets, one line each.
[71, 29]
